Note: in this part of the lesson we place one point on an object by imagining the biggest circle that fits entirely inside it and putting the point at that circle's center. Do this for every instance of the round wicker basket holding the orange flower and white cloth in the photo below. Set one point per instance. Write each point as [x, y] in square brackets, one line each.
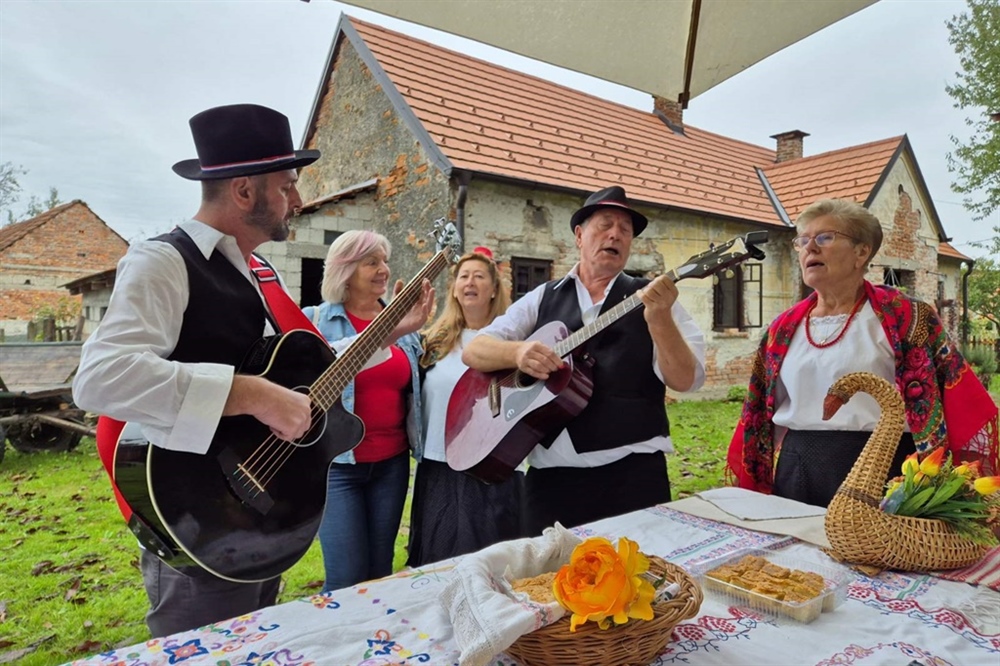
[633, 643]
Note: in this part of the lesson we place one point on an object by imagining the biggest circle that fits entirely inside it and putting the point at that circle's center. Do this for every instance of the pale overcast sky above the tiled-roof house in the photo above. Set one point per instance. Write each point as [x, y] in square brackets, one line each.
[95, 94]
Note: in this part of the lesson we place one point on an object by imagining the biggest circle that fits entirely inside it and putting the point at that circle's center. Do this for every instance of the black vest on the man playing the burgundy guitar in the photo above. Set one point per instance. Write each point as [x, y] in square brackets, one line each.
[627, 405]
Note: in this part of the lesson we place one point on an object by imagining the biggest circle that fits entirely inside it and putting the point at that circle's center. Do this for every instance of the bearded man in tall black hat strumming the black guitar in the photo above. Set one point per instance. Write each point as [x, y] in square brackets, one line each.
[184, 311]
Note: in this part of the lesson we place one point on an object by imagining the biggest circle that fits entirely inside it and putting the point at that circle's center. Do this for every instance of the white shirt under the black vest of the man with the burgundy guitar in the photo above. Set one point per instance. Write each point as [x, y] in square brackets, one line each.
[519, 322]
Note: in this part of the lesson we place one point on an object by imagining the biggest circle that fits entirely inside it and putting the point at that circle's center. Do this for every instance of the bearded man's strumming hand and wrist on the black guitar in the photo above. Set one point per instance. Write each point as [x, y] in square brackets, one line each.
[288, 413]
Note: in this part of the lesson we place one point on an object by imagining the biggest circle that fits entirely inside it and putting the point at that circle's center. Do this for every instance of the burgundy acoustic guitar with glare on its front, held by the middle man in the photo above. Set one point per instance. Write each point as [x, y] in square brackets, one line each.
[495, 419]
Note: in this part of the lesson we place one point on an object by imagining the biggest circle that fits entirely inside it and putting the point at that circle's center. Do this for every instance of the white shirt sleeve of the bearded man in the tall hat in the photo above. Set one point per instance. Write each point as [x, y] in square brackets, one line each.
[123, 371]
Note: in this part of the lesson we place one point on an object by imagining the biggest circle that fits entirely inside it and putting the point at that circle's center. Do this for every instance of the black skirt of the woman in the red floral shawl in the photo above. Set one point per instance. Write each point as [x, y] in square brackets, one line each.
[813, 463]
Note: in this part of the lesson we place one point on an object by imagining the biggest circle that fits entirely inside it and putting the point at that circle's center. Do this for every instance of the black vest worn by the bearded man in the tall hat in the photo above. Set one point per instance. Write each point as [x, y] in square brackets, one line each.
[224, 315]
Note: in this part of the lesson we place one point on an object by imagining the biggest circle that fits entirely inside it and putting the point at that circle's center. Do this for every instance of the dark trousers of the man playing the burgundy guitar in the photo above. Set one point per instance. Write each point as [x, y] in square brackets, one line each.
[577, 495]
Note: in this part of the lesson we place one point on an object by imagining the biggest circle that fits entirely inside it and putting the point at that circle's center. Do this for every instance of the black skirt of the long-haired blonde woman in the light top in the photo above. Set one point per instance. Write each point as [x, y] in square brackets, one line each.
[453, 513]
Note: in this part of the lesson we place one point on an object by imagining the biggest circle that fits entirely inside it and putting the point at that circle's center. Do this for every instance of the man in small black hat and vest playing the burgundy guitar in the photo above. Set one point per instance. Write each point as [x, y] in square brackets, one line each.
[609, 460]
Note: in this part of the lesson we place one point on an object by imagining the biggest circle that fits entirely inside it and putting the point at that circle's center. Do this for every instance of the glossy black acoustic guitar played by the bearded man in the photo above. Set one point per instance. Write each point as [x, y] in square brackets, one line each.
[250, 507]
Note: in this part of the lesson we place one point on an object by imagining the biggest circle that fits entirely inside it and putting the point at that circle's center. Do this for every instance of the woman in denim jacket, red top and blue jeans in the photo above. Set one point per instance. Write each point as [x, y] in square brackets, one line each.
[367, 486]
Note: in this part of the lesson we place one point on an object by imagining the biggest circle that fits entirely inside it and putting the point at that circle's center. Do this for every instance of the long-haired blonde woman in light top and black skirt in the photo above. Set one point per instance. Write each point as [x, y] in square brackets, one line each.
[453, 513]
